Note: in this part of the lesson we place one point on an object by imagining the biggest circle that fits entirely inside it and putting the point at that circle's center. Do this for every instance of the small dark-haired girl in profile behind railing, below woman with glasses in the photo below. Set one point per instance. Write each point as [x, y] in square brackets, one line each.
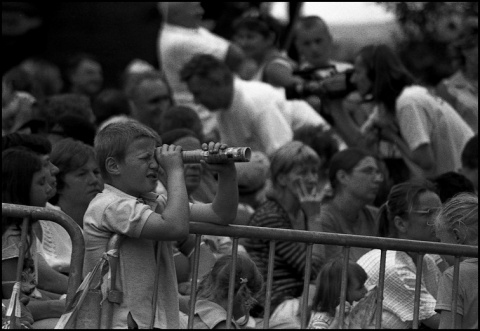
[325, 306]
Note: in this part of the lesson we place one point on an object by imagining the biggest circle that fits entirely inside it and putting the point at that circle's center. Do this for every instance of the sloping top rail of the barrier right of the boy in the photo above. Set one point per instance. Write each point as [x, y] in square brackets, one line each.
[242, 231]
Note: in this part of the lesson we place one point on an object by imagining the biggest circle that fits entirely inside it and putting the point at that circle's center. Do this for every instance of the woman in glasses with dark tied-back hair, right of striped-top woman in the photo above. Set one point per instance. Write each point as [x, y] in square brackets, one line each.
[355, 180]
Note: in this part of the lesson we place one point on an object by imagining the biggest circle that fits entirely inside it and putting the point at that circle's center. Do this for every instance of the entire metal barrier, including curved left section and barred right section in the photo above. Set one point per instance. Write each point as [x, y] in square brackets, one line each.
[273, 235]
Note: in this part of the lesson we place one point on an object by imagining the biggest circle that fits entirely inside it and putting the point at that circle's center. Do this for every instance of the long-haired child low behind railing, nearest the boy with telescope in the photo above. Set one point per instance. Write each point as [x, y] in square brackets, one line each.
[212, 295]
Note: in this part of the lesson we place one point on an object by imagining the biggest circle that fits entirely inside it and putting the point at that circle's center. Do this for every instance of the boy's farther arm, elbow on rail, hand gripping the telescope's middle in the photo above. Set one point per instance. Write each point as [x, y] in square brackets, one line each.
[223, 209]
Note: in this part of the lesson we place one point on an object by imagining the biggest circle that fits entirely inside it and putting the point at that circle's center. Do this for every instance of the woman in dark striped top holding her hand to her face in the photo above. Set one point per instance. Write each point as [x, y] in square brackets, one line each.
[291, 203]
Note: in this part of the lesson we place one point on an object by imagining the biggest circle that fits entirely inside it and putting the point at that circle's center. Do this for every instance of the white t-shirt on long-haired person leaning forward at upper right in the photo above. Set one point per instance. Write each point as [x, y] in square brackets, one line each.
[426, 119]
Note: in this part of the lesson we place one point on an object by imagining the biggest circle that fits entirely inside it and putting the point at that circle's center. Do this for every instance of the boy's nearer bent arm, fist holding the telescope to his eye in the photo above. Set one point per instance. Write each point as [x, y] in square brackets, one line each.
[172, 224]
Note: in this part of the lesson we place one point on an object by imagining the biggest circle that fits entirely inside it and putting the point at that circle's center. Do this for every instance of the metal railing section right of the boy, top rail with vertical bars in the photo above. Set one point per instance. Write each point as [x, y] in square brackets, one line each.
[310, 238]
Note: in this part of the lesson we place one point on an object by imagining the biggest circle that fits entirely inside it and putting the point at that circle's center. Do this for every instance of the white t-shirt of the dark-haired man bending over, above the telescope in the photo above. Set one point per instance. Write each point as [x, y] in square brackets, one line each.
[255, 118]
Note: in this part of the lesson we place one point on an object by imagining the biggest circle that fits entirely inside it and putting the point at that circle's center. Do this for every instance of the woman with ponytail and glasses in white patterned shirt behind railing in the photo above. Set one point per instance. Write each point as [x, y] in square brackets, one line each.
[408, 214]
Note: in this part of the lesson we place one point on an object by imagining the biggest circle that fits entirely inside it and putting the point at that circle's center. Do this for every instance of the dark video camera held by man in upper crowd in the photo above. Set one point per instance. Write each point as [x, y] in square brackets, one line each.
[321, 81]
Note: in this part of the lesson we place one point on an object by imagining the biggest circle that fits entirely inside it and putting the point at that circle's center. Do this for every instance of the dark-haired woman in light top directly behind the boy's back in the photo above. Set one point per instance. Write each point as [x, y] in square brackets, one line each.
[78, 181]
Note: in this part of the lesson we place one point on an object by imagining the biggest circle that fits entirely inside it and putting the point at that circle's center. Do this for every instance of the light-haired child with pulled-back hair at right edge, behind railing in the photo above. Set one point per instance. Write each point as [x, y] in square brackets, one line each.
[457, 223]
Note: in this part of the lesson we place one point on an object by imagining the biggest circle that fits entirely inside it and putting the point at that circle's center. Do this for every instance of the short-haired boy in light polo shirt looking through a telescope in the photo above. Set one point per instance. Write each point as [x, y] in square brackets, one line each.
[130, 156]
